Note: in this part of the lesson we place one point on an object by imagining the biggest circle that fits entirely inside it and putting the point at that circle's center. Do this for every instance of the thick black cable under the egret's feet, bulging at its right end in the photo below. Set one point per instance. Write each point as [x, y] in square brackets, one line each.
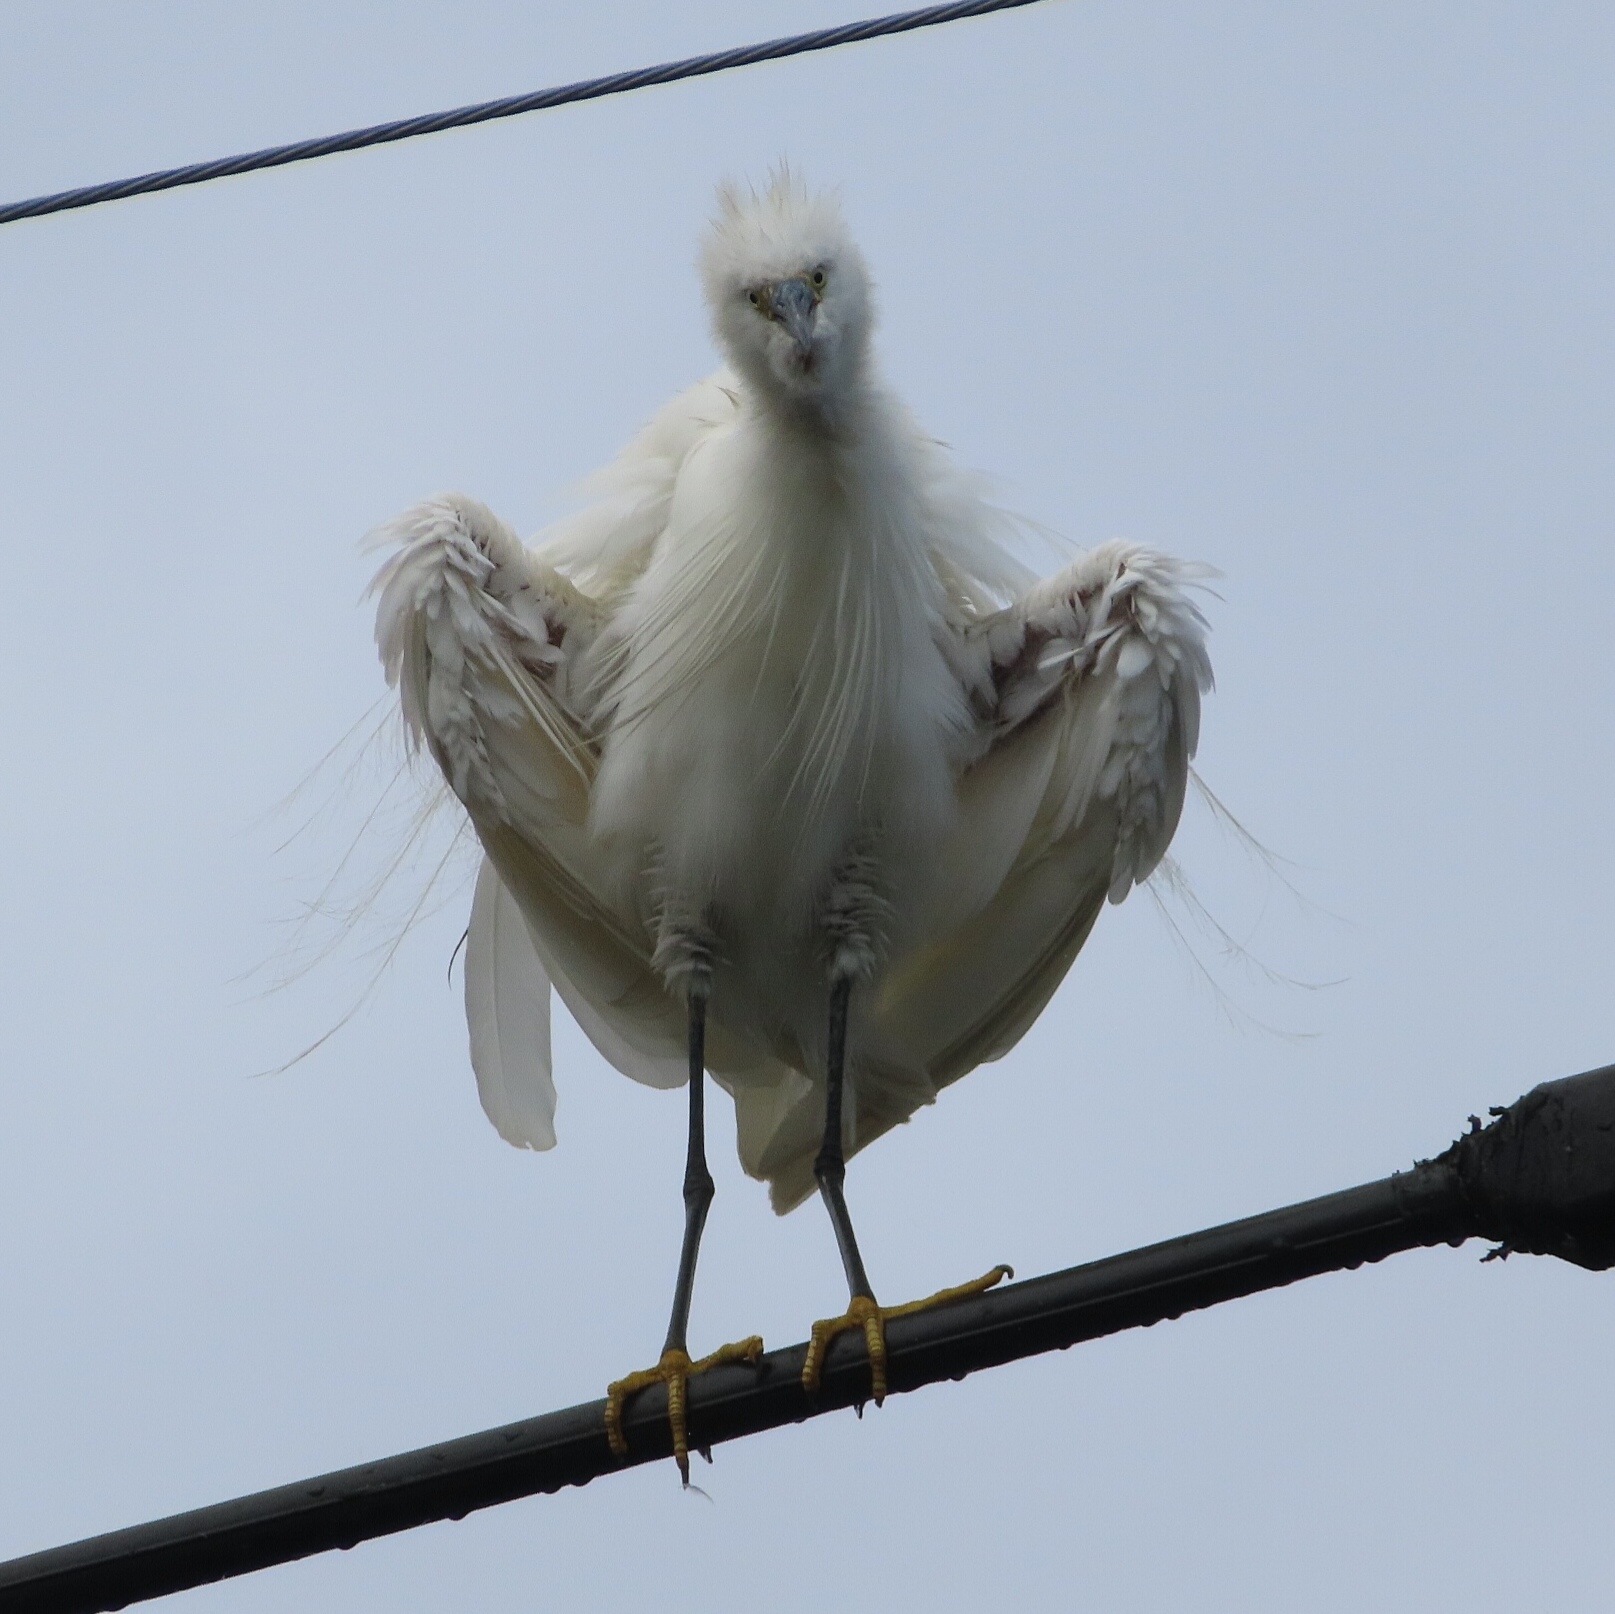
[1540, 1180]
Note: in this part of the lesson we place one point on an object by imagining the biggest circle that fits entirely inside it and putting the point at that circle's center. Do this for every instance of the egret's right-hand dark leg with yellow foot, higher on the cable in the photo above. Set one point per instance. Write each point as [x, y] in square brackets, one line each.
[852, 920]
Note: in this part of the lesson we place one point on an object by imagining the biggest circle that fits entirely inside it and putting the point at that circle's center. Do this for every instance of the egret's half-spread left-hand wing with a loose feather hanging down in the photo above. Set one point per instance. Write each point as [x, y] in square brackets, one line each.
[485, 644]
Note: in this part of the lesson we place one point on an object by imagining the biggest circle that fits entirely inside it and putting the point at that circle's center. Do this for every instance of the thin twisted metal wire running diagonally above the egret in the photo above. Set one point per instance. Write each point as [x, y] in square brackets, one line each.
[510, 107]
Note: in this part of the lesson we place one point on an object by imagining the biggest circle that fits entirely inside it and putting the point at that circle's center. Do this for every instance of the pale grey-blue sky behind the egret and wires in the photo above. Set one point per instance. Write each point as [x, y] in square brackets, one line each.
[1320, 295]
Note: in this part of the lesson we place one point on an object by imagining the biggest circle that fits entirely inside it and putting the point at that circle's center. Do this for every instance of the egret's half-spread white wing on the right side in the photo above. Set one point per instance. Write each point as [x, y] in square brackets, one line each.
[1091, 689]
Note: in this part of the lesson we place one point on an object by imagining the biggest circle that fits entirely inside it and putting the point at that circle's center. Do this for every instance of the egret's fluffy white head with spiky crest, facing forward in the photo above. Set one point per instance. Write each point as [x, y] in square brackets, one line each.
[789, 293]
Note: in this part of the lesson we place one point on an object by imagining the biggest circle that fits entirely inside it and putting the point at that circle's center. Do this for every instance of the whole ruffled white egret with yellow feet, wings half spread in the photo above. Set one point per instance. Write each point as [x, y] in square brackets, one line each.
[784, 768]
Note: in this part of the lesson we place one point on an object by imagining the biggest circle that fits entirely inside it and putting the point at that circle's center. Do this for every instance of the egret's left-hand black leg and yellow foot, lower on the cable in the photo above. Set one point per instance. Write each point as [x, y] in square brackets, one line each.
[676, 1369]
